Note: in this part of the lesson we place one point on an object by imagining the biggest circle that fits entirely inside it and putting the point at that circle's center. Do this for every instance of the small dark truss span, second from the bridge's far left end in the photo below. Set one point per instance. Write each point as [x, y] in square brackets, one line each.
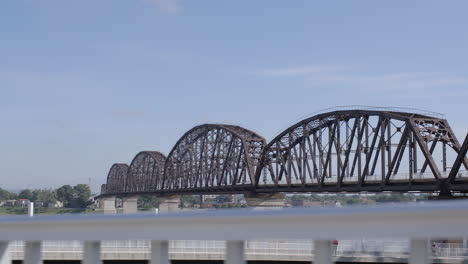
[146, 172]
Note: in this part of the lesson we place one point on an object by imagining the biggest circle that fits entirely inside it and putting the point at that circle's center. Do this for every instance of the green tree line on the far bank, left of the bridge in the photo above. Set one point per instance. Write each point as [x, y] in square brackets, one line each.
[71, 196]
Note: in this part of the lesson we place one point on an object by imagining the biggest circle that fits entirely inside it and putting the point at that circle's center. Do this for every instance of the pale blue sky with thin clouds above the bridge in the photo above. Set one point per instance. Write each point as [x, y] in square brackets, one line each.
[88, 83]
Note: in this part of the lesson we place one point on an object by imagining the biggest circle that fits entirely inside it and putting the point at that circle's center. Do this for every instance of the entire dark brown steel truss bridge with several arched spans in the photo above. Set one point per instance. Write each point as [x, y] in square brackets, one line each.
[337, 151]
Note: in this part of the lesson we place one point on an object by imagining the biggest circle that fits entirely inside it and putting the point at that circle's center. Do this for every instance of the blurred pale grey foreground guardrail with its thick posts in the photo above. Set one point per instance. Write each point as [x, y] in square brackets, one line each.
[418, 222]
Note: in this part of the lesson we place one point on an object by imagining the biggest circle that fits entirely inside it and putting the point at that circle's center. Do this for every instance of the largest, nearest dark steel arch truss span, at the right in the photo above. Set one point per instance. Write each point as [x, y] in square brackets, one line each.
[359, 150]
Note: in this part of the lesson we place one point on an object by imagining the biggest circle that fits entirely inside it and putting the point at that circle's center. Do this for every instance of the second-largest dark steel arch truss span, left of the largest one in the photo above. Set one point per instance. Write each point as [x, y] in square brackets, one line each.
[214, 156]
